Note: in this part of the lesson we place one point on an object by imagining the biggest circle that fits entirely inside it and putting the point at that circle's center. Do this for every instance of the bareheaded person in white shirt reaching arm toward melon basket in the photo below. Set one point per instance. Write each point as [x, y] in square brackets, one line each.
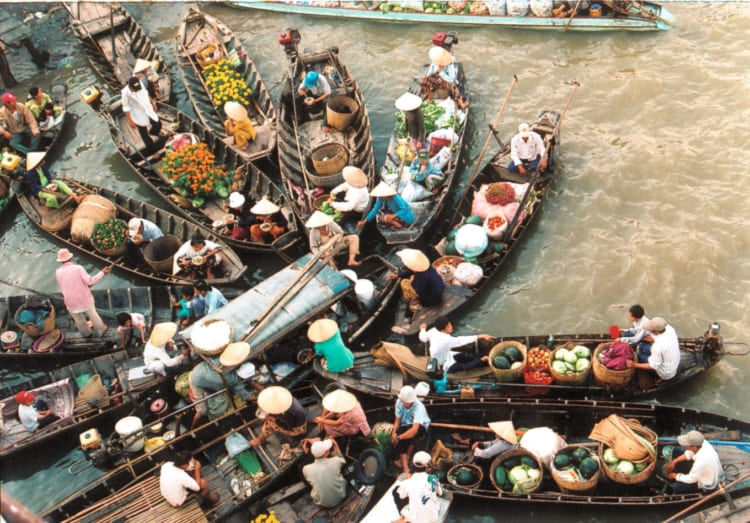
[453, 353]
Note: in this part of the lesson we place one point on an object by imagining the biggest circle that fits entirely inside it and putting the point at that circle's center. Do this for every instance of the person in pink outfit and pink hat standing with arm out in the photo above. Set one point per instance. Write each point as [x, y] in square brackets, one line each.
[74, 283]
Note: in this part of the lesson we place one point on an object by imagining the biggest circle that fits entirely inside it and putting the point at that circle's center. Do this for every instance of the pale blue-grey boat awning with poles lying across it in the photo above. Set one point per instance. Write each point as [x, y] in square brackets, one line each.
[315, 296]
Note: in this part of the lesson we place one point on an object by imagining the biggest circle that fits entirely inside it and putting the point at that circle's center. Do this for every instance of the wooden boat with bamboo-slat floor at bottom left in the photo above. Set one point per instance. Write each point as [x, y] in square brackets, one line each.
[131, 488]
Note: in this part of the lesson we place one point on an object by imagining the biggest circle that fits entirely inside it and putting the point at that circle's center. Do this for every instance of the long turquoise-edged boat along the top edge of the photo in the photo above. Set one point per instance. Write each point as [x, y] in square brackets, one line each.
[633, 16]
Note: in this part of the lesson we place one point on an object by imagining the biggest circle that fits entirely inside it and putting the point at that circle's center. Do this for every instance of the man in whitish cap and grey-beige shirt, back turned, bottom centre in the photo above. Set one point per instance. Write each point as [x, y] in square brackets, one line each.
[324, 474]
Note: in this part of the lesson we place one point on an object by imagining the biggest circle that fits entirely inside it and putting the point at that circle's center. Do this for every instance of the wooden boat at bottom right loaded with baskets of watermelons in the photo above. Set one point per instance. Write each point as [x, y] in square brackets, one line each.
[575, 420]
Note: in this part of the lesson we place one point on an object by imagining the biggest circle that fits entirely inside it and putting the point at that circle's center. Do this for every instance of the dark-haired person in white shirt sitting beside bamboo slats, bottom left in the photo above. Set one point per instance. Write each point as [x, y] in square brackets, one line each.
[178, 477]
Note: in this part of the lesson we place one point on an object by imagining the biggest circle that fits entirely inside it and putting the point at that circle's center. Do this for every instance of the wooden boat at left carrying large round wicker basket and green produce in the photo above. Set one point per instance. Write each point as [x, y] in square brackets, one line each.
[56, 222]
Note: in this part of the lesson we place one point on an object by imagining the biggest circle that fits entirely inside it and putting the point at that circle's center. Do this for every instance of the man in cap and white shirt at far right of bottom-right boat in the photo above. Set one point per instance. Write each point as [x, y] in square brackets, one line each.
[704, 474]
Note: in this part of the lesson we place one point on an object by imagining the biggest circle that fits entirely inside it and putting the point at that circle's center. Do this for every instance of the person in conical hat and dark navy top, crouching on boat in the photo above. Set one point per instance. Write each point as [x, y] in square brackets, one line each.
[421, 284]
